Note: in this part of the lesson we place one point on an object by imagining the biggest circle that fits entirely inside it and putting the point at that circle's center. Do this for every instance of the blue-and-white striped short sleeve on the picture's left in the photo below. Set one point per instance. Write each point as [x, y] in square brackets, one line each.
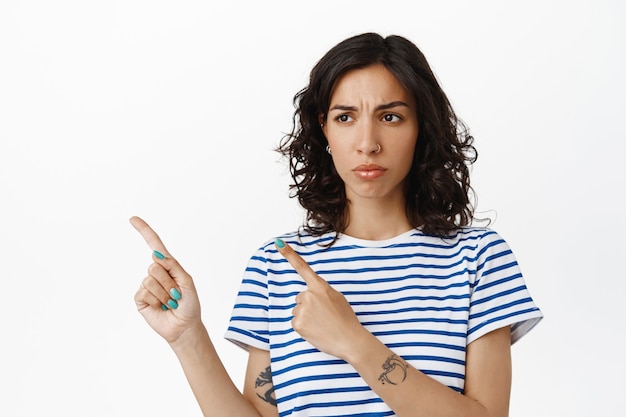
[249, 322]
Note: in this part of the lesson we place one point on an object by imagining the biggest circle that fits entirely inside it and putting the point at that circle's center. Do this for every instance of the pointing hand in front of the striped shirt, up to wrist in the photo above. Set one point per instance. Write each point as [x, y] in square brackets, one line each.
[322, 315]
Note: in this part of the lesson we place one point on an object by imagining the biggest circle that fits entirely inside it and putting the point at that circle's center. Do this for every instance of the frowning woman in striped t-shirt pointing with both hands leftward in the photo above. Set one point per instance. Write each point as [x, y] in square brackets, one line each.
[385, 302]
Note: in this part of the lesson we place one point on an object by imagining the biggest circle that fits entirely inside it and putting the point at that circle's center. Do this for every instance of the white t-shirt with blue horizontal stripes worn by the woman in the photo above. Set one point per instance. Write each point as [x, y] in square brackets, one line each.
[424, 297]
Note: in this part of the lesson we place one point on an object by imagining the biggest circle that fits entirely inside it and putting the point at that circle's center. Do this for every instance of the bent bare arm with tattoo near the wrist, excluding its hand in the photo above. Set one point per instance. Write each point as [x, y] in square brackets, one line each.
[409, 392]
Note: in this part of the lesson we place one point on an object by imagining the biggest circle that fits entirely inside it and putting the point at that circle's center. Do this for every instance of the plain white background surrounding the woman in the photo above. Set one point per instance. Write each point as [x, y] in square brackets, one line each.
[170, 110]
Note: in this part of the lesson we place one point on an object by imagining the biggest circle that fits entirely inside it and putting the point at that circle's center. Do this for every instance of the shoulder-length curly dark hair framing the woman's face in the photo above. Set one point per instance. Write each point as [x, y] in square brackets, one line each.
[438, 184]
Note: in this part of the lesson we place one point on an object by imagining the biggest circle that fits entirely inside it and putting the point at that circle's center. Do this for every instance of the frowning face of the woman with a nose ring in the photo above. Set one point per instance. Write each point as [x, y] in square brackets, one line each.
[372, 129]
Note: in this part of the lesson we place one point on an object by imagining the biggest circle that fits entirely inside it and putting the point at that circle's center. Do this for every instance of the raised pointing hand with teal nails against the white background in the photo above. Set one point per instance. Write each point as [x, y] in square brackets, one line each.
[167, 297]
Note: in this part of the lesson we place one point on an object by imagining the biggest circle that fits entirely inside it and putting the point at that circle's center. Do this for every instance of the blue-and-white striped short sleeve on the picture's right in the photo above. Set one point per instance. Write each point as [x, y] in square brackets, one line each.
[499, 296]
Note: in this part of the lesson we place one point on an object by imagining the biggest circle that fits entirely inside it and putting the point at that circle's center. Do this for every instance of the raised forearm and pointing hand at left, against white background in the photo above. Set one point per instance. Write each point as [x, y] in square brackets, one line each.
[168, 301]
